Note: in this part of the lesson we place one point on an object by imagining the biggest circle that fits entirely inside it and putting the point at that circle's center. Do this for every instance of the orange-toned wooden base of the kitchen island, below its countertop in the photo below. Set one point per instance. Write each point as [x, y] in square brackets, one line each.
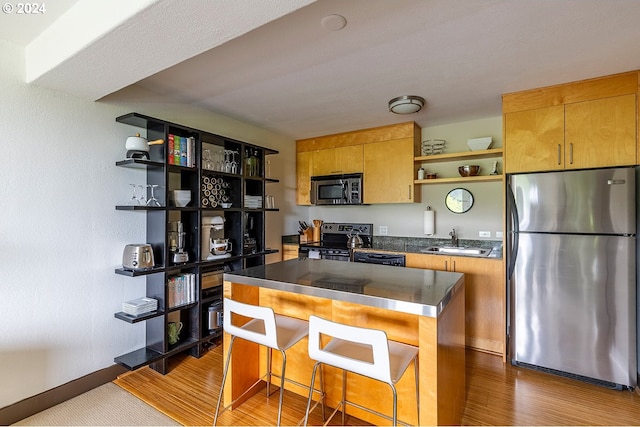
[441, 342]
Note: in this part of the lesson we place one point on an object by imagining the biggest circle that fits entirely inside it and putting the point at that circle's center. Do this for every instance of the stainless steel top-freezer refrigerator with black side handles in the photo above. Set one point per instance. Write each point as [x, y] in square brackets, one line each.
[571, 265]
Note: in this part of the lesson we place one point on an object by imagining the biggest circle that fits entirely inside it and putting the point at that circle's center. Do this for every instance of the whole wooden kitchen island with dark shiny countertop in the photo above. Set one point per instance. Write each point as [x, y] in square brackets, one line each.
[420, 307]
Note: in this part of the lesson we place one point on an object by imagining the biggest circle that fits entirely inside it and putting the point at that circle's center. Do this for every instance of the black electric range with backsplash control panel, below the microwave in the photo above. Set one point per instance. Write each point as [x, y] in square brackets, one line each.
[335, 239]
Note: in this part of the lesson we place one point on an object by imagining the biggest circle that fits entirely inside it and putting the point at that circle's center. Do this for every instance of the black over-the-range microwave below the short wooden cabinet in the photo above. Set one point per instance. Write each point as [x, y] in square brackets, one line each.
[336, 189]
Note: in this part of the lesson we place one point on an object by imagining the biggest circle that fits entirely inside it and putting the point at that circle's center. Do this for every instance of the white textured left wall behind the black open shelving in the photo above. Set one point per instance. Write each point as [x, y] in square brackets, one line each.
[60, 235]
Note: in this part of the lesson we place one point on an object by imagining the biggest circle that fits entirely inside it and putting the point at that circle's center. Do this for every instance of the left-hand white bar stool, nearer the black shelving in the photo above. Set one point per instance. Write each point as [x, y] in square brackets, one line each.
[266, 328]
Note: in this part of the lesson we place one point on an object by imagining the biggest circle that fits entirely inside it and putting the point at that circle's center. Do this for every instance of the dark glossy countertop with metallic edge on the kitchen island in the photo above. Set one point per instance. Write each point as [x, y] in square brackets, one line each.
[408, 290]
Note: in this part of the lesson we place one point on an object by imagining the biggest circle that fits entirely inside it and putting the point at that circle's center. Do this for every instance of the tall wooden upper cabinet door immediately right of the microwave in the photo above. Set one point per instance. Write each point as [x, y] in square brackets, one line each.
[388, 172]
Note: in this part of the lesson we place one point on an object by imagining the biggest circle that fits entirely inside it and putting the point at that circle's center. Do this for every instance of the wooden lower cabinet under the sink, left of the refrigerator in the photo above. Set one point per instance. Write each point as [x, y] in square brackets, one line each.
[485, 297]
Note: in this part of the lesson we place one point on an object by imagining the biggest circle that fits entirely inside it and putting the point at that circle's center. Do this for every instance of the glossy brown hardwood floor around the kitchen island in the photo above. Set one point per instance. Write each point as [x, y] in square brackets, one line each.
[497, 394]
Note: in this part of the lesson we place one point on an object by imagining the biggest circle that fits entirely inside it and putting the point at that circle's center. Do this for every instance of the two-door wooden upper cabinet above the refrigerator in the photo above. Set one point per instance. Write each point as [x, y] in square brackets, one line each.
[579, 125]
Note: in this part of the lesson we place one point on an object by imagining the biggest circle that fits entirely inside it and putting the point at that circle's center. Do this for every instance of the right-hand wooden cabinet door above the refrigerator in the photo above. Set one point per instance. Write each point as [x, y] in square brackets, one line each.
[601, 133]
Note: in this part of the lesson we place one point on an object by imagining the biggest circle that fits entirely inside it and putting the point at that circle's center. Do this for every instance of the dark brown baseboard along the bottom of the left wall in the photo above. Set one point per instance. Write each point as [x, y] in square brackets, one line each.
[45, 400]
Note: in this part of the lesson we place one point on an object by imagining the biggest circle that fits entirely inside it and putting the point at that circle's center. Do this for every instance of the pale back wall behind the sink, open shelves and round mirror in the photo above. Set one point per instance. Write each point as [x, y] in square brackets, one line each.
[407, 219]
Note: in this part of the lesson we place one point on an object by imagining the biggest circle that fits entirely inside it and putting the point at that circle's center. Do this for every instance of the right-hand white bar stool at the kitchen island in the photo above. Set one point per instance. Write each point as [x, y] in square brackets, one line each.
[363, 351]
